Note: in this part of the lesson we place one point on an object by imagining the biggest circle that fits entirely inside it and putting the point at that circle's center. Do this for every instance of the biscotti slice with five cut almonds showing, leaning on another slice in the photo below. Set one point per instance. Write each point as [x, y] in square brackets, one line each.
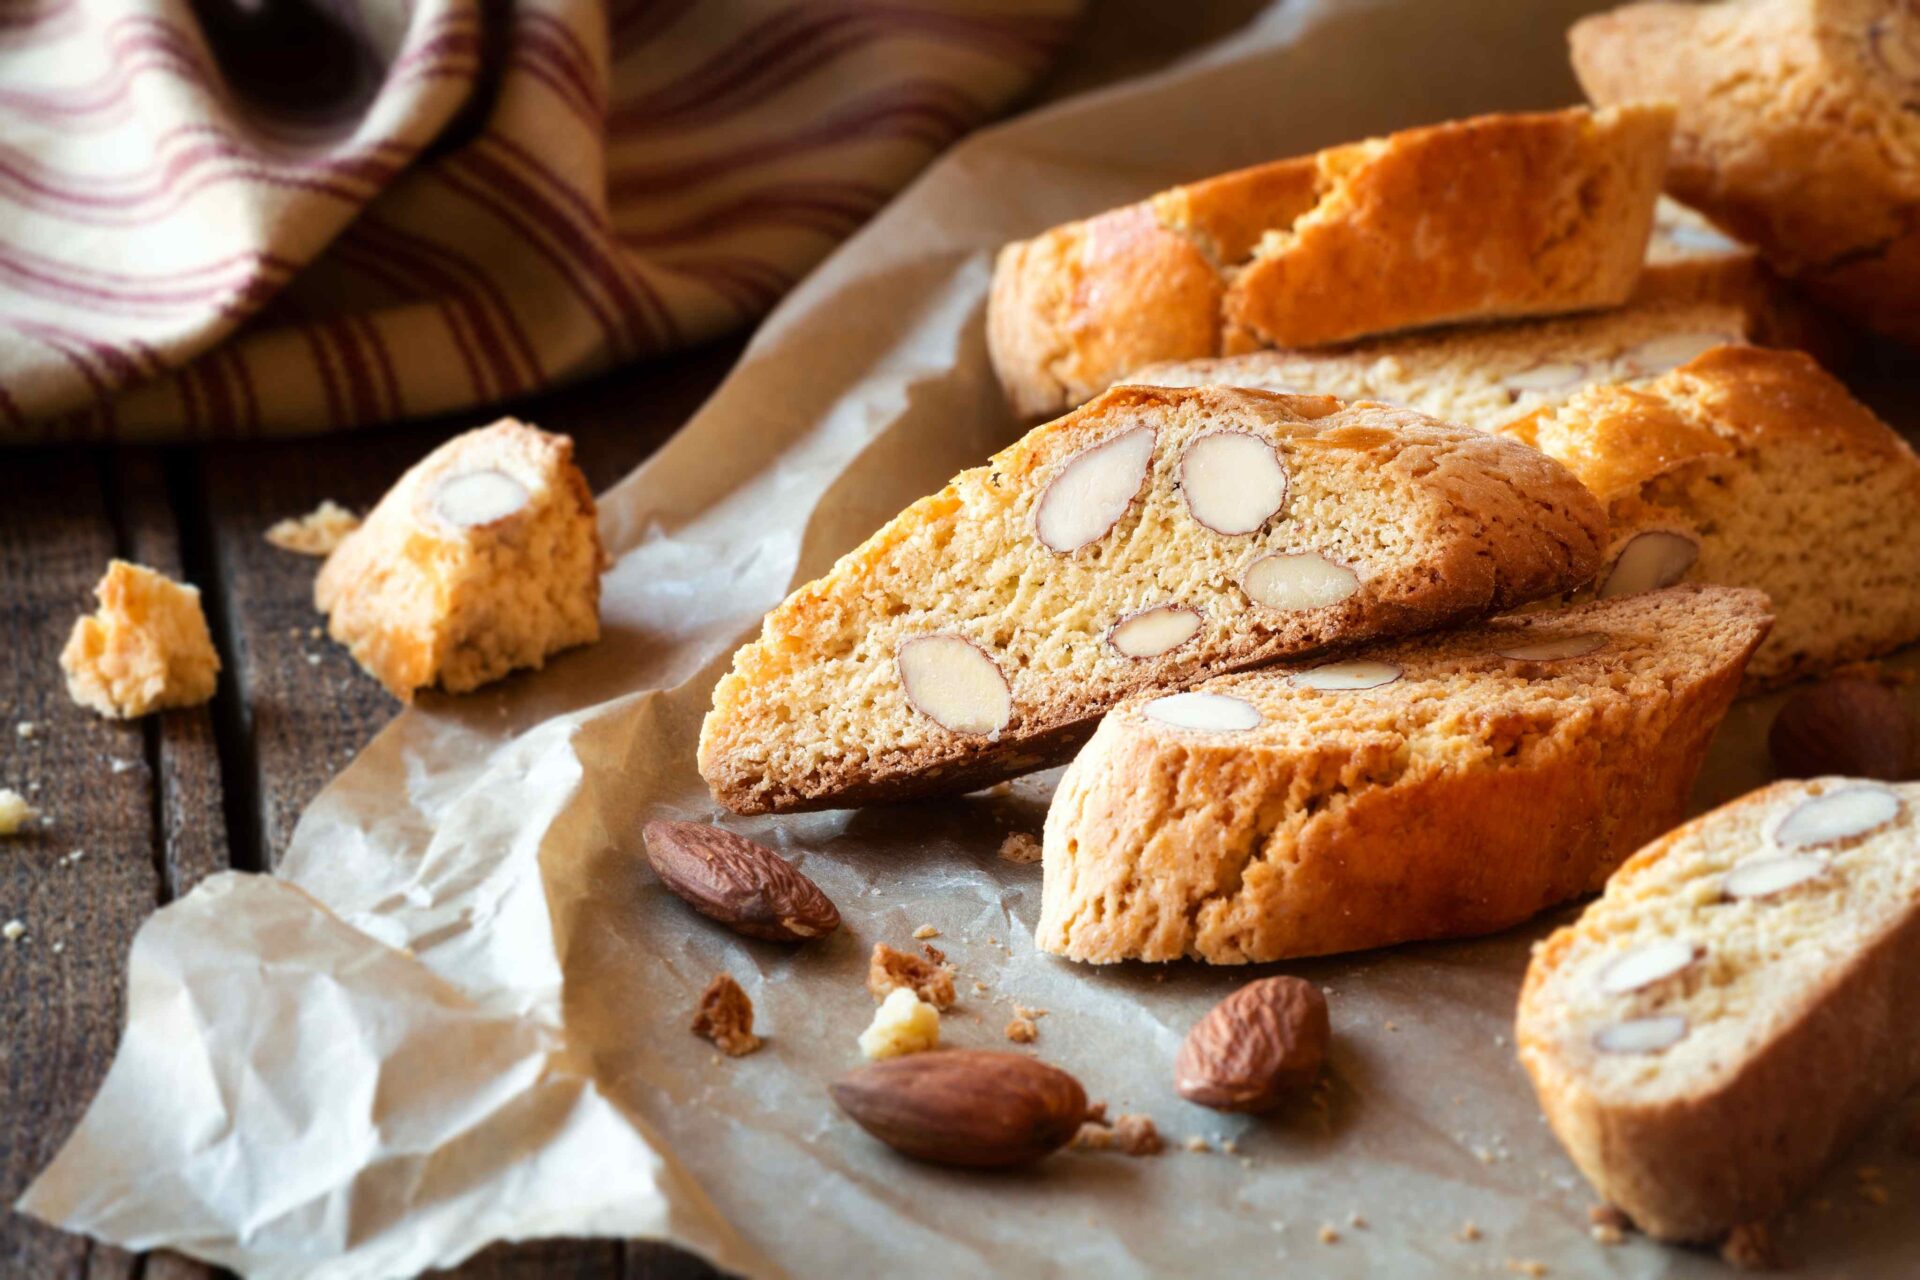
[1149, 540]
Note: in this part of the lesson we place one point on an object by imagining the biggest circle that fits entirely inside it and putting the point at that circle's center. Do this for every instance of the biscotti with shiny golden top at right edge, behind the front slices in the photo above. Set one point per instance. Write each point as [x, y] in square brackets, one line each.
[1754, 469]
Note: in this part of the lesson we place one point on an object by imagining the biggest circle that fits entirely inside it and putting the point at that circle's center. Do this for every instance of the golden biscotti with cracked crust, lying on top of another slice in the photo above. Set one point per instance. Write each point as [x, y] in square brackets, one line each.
[1499, 216]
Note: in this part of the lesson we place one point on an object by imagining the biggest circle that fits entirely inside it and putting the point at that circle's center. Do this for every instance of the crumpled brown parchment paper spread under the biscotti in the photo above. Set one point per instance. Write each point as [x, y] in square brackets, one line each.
[462, 1010]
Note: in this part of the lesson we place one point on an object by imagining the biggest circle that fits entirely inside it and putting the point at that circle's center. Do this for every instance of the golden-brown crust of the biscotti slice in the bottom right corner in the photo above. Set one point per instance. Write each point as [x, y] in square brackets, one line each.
[1702, 1166]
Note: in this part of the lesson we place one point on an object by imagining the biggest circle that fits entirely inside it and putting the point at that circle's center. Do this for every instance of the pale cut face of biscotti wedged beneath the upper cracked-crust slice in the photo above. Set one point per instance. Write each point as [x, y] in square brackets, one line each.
[1487, 375]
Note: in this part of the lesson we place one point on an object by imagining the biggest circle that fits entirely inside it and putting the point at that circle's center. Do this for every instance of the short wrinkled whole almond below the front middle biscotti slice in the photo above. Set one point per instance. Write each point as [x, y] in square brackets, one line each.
[1257, 1047]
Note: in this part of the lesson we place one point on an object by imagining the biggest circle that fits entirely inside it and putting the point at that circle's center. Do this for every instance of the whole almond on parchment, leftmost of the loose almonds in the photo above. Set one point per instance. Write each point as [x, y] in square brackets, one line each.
[744, 886]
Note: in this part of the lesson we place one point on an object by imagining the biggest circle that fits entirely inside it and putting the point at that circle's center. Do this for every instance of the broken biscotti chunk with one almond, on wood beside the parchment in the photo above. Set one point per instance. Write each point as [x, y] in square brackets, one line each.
[483, 559]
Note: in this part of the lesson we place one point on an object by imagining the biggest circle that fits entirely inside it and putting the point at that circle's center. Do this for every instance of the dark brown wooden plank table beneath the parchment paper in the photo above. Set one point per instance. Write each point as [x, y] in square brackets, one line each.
[162, 803]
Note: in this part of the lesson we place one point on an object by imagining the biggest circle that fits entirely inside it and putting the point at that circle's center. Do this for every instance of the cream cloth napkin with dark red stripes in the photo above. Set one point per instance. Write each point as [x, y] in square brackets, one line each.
[251, 218]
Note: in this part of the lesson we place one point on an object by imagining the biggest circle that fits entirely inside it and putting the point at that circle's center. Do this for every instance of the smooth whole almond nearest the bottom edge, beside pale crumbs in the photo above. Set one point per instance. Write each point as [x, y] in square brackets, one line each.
[969, 1108]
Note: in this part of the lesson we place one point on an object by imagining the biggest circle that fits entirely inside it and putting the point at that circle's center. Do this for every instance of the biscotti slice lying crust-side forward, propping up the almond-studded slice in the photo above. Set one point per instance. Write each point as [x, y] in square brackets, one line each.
[1429, 788]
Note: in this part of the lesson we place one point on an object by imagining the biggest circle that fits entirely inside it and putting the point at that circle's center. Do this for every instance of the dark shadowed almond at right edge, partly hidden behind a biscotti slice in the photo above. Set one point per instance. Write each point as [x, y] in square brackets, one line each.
[1850, 726]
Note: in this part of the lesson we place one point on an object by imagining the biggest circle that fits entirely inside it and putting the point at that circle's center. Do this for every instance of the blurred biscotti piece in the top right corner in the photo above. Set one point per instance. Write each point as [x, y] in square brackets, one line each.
[1794, 131]
